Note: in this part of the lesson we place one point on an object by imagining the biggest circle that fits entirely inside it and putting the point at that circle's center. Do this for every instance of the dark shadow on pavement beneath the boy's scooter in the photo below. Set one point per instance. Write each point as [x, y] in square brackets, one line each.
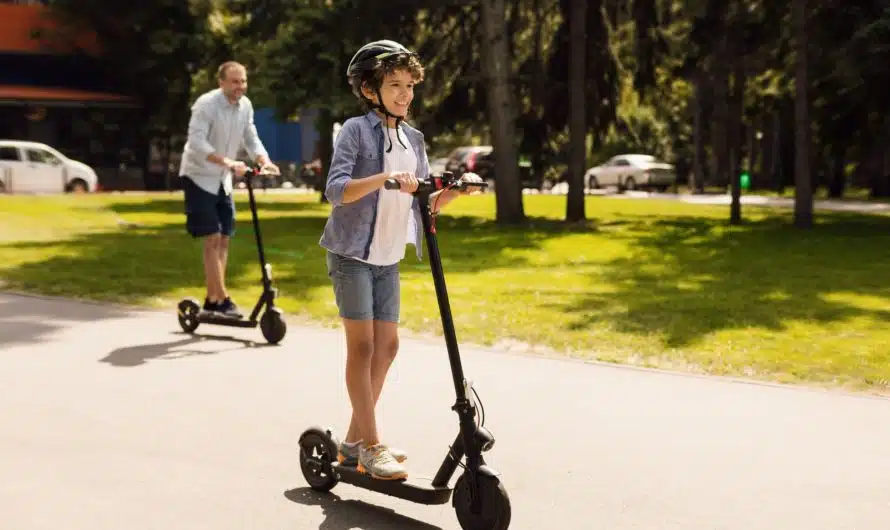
[341, 514]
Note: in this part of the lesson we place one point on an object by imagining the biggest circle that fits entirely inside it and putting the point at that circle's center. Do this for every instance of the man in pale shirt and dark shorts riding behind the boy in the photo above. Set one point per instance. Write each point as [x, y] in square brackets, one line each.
[221, 124]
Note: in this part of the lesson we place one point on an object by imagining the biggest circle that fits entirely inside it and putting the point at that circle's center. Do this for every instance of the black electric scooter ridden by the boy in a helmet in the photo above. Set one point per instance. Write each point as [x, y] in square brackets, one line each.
[478, 497]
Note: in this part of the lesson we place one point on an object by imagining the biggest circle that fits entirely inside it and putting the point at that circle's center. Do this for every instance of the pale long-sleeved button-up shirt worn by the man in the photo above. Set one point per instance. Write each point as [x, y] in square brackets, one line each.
[222, 127]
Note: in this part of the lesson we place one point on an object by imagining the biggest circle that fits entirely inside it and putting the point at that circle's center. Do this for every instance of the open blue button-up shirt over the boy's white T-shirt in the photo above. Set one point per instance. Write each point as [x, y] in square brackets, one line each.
[358, 153]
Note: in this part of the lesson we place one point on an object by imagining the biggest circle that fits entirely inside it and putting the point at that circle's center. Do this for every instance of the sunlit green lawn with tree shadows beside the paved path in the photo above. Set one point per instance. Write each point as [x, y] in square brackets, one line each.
[654, 283]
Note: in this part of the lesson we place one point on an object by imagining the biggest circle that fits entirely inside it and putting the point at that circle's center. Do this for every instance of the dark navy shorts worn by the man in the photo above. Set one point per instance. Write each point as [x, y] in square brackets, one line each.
[205, 213]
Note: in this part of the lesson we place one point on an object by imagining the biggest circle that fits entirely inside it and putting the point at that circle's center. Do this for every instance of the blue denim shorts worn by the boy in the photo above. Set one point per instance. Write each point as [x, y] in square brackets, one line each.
[364, 291]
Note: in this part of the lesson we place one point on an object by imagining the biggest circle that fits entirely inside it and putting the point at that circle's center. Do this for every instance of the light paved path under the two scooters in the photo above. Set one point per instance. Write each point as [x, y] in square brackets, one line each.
[112, 419]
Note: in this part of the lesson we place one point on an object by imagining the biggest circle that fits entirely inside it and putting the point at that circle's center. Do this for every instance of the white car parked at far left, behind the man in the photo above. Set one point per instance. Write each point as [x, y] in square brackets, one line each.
[32, 167]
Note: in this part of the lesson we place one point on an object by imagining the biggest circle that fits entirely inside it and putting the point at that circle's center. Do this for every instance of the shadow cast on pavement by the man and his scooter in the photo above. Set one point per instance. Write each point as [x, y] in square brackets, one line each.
[130, 356]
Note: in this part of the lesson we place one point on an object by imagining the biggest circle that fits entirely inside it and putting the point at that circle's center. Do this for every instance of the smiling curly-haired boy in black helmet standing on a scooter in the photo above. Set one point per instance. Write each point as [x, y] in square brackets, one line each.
[367, 233]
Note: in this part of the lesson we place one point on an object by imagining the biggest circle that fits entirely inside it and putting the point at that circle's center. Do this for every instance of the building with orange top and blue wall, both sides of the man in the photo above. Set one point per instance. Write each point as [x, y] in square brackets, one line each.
[52, 93]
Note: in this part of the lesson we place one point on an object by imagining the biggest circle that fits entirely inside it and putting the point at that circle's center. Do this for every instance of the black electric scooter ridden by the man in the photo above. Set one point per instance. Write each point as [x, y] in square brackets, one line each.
[272, 322]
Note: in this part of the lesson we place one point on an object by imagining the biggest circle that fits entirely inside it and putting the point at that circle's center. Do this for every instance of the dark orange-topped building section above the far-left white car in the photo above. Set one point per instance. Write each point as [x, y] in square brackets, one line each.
[53, 94]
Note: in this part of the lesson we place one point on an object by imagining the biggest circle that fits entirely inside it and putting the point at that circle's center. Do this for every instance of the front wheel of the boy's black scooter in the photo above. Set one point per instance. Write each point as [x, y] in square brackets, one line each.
[493, 510]
